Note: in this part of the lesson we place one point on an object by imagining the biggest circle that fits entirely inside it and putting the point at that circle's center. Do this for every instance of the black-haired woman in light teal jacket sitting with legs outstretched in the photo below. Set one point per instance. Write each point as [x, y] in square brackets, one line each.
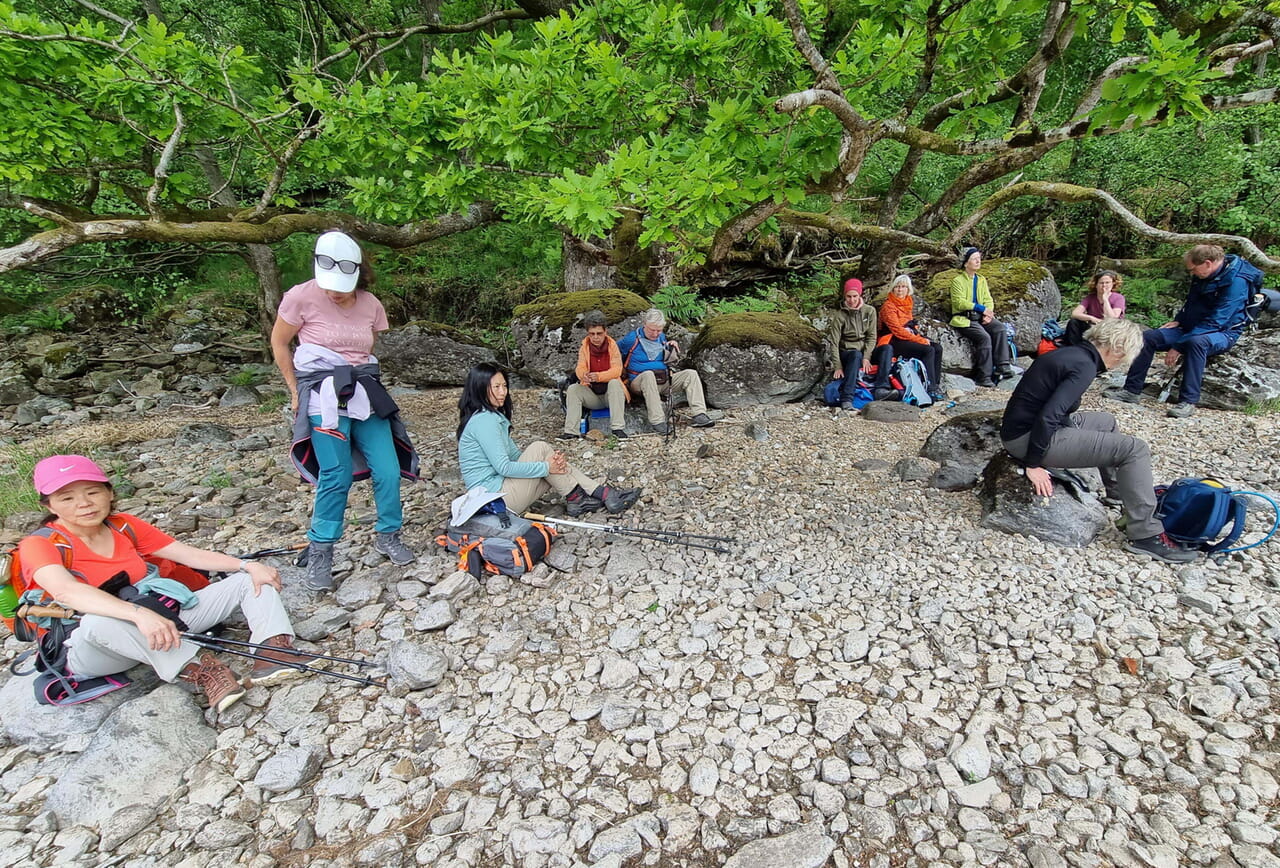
[491, 460]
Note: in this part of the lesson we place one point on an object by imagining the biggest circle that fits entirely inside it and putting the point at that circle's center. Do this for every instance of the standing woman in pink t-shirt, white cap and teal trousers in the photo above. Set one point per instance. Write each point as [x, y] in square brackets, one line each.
[346, 426]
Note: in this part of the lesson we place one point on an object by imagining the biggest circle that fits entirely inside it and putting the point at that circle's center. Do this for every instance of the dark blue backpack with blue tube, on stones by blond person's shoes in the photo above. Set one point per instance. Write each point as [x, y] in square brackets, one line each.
[1196, 511]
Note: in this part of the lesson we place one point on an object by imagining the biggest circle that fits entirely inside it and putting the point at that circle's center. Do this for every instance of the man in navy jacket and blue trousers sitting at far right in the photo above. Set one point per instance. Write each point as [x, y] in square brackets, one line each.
[1210, 323]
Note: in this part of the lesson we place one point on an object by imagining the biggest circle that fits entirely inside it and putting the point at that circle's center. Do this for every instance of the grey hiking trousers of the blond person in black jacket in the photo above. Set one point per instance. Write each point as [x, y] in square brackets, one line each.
[1095, 441]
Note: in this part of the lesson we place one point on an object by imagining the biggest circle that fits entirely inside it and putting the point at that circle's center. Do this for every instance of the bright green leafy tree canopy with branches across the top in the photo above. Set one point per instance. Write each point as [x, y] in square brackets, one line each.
[694, 131]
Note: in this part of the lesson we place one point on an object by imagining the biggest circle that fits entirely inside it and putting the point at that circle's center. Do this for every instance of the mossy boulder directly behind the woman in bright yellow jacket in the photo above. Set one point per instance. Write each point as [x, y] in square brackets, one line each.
[1026, 295]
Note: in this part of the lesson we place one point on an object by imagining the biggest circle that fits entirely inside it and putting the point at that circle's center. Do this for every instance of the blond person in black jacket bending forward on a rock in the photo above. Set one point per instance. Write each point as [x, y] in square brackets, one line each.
[1043, 428]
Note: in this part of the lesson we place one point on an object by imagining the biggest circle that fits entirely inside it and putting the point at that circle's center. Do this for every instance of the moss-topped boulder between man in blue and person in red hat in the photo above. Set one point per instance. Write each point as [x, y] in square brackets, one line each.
[751, 359]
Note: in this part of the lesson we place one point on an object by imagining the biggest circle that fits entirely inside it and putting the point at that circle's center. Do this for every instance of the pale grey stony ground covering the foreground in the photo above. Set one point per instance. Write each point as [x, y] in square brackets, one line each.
[871, 679]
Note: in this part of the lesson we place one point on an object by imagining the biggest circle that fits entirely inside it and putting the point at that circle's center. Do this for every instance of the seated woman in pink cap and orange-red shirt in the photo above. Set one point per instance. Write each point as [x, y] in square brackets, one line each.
[84, 545]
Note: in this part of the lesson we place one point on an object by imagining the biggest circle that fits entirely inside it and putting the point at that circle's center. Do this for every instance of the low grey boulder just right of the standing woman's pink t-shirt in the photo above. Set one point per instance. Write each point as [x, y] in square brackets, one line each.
[431, 354]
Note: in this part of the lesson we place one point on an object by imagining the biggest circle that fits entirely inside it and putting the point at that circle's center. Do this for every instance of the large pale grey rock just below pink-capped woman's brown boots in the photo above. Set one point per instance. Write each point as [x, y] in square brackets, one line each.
[138, 757]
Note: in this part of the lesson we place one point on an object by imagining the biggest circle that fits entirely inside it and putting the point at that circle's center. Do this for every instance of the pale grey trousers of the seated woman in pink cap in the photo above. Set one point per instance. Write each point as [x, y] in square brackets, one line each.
[102, 646]
